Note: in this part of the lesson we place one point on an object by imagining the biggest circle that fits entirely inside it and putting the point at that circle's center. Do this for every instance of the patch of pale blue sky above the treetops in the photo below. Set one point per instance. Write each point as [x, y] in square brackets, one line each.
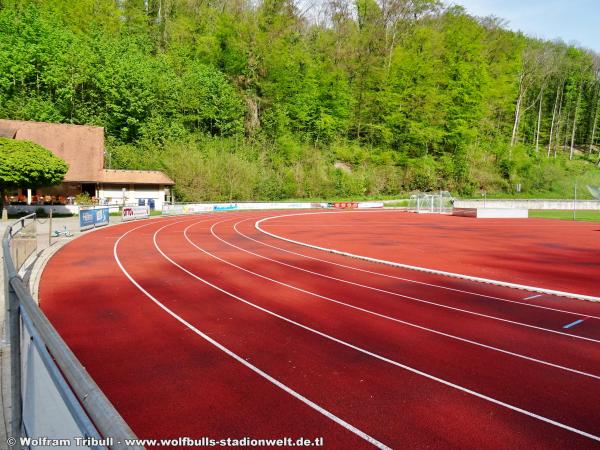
[573, 21]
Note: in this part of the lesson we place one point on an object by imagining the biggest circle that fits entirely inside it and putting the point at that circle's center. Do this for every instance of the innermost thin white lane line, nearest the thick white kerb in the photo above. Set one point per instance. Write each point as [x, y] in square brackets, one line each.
[532, 305]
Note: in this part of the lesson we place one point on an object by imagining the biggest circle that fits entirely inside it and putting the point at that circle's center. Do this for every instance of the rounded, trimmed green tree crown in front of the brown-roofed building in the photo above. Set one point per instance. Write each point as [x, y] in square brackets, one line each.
[27, 164]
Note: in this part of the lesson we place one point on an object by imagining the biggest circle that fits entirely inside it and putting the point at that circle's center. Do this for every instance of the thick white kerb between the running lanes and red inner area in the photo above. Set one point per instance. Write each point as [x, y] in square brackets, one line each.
[417, 268]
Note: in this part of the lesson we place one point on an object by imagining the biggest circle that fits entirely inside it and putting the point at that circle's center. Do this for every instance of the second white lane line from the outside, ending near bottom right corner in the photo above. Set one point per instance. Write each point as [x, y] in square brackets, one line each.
[377, 356]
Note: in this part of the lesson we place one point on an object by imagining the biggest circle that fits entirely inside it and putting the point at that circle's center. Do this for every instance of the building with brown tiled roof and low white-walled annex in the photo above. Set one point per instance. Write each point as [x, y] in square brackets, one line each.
[82, 147]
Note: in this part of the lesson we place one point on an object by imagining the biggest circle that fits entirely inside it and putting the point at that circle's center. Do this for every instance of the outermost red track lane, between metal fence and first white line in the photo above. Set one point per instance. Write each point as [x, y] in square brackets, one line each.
[163, 379]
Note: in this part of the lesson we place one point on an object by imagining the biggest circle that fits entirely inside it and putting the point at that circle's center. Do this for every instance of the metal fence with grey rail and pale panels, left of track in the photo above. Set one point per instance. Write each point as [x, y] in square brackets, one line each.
[52, 395]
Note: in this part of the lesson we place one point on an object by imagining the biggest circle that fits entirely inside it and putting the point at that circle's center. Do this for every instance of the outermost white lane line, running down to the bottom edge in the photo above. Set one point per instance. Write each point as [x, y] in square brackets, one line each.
[235, 356]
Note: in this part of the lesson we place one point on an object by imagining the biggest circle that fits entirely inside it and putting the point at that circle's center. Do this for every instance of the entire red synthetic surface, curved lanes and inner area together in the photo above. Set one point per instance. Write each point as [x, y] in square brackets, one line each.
[407, 359]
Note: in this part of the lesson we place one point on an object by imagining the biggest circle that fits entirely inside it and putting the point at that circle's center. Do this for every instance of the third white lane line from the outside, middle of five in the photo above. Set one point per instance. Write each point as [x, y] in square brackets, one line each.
[410, 324]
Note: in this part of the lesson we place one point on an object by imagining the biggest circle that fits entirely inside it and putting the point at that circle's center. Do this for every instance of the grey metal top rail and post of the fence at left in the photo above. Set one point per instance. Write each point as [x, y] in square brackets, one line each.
[102, 413]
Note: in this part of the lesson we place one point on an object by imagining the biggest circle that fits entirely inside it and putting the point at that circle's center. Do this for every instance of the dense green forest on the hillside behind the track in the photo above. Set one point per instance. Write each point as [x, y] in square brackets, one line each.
[282, 99]
